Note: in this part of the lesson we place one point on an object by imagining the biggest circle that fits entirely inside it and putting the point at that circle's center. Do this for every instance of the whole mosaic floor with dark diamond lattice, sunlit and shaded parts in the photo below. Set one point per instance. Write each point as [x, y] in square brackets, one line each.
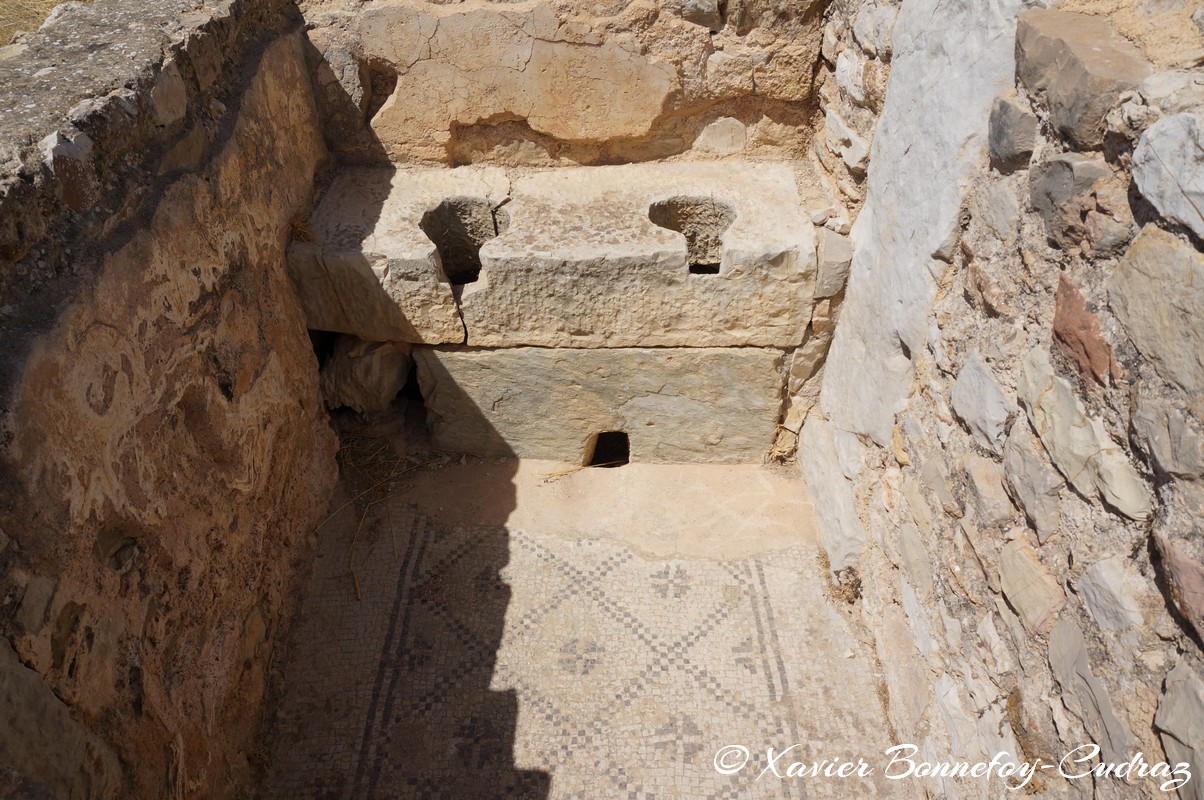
[601, 634]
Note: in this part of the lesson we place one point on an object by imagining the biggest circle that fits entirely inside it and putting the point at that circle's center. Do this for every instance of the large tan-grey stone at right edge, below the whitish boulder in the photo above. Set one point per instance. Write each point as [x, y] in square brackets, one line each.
[1158, 292]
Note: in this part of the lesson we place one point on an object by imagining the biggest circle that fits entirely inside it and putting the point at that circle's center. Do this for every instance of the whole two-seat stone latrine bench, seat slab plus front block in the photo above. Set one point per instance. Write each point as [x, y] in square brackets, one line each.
[651, 302]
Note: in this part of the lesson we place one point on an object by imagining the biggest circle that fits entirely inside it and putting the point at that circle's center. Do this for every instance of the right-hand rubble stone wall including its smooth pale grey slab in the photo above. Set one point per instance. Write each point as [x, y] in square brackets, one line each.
[1008, 407]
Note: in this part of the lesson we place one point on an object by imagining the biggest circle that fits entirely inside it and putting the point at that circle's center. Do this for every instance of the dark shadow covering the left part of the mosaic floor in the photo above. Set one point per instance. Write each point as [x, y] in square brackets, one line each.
[386, 692]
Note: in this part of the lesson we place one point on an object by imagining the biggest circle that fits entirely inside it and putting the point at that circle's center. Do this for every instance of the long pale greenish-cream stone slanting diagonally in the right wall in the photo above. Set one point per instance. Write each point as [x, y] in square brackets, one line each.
[1079, 446]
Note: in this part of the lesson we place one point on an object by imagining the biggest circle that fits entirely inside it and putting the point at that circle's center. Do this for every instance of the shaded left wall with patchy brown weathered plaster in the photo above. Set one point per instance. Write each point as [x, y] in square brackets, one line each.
[164, 450]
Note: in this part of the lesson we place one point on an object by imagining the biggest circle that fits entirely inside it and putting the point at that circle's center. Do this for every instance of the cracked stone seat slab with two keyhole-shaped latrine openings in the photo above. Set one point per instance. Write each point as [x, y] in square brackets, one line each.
[692, 255]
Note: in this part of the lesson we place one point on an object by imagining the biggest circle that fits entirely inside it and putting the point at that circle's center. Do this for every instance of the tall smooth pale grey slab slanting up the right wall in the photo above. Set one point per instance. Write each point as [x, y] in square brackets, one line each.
[951, 61]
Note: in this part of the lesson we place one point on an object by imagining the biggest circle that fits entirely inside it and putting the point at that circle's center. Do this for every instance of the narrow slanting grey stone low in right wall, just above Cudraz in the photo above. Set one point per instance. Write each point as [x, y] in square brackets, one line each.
[1084, 695]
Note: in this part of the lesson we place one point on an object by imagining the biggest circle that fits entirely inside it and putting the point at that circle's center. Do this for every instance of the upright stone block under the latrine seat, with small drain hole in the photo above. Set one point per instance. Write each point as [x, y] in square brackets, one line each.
[688, 405]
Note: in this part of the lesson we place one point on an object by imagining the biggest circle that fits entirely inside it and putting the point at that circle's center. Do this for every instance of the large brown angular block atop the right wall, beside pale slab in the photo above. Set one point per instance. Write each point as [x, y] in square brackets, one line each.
[1081, 64]
